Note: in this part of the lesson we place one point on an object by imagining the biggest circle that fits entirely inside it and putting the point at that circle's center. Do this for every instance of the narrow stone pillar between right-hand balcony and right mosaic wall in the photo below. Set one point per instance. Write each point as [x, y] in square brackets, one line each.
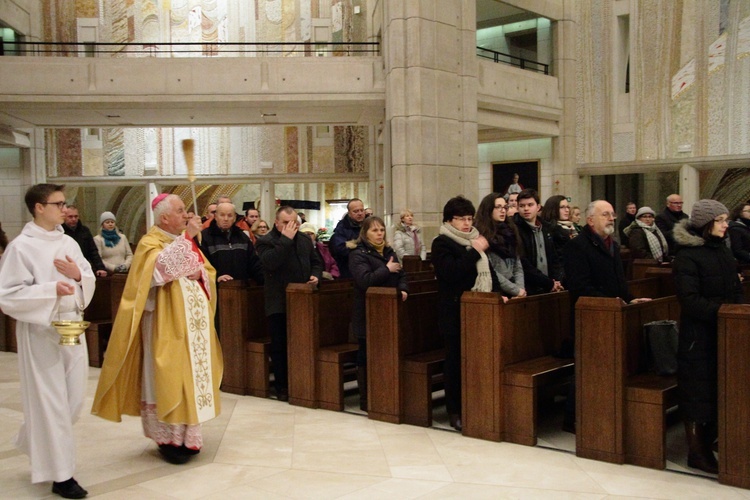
[564, 146]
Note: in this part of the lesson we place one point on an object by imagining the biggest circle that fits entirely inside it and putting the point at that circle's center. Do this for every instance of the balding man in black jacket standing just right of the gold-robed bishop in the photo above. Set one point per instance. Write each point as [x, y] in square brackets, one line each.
[229, 249]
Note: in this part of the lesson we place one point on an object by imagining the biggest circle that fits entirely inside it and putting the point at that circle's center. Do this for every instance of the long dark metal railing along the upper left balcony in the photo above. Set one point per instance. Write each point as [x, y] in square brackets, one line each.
[194, 49]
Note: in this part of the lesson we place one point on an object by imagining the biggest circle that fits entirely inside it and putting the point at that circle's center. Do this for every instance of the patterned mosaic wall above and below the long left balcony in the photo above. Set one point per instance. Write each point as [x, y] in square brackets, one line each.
[219, 150]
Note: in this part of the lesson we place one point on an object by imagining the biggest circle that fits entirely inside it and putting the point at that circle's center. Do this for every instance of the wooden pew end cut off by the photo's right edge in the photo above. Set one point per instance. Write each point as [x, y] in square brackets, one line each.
[734, 395]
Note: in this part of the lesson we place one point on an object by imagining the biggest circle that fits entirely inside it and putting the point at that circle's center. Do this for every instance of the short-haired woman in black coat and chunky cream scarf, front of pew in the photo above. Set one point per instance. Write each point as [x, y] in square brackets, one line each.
[460, 262]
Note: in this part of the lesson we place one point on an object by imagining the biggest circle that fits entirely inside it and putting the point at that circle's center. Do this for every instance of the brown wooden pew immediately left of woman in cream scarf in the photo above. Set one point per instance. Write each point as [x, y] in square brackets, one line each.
[404, 353]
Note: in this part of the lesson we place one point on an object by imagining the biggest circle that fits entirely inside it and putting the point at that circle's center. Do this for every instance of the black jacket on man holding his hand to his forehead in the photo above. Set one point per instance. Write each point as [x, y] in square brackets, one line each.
[285, 261]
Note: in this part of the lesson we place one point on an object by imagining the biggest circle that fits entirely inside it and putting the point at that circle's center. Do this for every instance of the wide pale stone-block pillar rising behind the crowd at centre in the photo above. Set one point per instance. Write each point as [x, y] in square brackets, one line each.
[431, 106]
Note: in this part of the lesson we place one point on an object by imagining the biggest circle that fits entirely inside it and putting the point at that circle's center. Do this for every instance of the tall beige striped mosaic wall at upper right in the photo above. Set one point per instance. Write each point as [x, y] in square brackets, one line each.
[689, 75]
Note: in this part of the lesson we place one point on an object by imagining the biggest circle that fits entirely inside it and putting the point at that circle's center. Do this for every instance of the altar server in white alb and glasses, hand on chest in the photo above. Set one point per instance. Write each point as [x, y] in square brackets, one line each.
[44, 277]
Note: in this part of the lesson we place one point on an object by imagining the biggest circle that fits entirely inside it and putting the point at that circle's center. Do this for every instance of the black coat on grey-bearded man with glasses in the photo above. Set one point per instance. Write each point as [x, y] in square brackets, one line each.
[591, 270]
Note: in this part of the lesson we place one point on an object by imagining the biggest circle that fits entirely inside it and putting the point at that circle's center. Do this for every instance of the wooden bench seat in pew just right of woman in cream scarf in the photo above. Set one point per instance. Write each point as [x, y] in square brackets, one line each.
[522, 382]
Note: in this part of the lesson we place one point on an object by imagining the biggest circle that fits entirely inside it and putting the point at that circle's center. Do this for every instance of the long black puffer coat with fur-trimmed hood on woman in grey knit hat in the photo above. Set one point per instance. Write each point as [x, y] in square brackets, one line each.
[705, 277]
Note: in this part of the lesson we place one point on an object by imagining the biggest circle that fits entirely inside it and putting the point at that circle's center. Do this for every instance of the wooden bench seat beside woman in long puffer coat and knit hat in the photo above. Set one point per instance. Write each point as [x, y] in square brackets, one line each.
[648, 397]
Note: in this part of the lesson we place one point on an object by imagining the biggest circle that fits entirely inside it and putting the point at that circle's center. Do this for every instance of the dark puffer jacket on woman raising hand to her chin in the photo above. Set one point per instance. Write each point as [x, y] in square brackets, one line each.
[368, 269]
